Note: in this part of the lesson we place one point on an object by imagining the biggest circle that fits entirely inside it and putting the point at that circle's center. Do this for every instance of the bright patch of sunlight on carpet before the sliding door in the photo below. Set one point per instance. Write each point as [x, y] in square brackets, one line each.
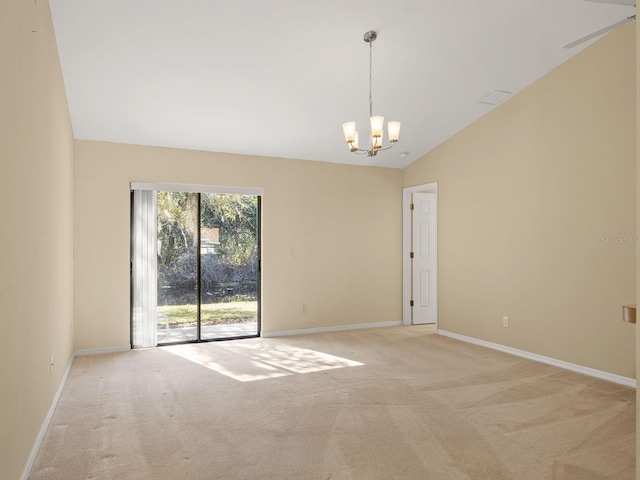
[258, 359]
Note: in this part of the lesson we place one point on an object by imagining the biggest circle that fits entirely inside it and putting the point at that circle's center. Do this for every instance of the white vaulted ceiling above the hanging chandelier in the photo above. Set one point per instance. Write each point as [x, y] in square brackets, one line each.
[279, 77]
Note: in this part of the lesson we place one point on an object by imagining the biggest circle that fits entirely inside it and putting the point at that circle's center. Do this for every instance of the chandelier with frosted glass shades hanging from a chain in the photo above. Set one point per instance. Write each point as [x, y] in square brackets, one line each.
[376, 122]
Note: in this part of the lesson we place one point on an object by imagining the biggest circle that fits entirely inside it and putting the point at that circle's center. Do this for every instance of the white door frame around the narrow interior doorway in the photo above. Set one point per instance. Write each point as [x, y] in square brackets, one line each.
[406, 248]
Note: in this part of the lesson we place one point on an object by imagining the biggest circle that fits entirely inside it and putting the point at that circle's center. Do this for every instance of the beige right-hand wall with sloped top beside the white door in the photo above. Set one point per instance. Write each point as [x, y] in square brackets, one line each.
[528, 196]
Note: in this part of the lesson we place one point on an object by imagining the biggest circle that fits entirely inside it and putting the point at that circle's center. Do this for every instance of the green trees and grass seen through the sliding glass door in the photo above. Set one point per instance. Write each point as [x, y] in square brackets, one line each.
[228, 277]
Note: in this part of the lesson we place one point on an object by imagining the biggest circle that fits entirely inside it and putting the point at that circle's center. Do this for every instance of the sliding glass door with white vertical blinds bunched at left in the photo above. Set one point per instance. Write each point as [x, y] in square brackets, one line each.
[206, 267]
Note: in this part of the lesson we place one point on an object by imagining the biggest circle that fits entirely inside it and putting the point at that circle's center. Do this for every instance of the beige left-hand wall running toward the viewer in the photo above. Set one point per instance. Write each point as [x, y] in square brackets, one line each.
[36, 237]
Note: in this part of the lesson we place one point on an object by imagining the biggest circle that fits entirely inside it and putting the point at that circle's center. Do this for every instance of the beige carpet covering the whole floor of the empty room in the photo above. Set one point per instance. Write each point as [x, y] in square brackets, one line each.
[390, 403]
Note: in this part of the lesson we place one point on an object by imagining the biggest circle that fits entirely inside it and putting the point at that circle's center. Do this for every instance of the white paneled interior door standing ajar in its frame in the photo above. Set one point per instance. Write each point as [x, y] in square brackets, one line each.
[424, 261]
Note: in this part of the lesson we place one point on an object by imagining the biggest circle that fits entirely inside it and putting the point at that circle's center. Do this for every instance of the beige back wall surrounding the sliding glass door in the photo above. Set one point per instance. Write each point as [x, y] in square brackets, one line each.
[343, 221]
